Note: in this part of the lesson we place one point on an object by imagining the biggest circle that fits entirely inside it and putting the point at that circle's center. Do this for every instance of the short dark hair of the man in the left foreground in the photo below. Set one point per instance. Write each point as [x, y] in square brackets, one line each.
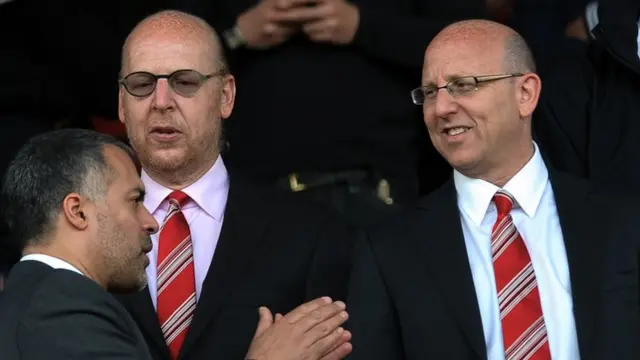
[45, 170]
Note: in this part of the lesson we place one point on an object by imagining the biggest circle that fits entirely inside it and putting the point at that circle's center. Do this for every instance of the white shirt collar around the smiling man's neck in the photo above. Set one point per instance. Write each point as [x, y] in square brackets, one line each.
[526, 187]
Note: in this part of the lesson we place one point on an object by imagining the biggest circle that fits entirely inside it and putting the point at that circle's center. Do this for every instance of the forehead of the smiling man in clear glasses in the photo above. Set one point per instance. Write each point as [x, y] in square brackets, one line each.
[446, 60]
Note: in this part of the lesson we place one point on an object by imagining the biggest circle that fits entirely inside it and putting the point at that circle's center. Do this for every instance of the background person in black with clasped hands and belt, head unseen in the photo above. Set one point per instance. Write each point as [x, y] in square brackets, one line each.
[322, 109]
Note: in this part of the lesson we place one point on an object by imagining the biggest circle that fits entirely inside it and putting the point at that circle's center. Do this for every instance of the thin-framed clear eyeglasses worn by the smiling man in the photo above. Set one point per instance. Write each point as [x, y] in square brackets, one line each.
[462, 86]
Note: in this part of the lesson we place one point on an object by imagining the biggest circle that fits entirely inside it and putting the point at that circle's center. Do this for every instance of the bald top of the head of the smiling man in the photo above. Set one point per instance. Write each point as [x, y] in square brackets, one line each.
[488, 37]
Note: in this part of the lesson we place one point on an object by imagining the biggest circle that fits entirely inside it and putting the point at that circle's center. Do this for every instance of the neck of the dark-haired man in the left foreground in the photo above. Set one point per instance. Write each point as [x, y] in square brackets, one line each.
[88, 267]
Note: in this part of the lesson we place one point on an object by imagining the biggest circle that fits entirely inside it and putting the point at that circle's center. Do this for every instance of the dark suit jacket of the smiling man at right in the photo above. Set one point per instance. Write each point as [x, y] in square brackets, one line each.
[412, 293]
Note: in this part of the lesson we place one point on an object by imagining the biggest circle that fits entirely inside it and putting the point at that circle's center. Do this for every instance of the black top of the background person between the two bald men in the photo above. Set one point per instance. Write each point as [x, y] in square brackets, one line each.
[304, 106]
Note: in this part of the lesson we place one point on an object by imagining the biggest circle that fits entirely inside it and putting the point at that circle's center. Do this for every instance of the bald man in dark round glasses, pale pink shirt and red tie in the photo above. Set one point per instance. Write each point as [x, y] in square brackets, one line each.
[225, 248]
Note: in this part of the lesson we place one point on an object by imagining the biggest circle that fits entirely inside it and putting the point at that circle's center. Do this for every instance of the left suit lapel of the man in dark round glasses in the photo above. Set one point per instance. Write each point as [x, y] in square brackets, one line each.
[142, 310]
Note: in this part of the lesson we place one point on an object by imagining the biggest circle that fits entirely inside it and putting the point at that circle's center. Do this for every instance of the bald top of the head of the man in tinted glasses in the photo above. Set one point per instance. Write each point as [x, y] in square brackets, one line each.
[177, 26]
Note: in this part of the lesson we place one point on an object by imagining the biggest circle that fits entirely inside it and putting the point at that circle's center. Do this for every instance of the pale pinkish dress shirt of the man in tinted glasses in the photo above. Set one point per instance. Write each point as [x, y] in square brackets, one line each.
[204, 213]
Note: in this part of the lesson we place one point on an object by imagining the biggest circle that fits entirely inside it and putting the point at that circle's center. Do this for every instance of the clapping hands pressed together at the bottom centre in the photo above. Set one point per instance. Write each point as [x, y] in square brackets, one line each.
[311, 331]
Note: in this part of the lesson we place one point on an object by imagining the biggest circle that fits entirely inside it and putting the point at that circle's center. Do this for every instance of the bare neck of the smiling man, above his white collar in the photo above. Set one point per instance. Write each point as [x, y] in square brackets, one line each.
[507, 167]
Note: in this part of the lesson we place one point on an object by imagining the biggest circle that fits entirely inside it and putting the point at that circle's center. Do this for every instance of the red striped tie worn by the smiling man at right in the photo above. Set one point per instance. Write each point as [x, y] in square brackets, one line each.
[523, 330]
